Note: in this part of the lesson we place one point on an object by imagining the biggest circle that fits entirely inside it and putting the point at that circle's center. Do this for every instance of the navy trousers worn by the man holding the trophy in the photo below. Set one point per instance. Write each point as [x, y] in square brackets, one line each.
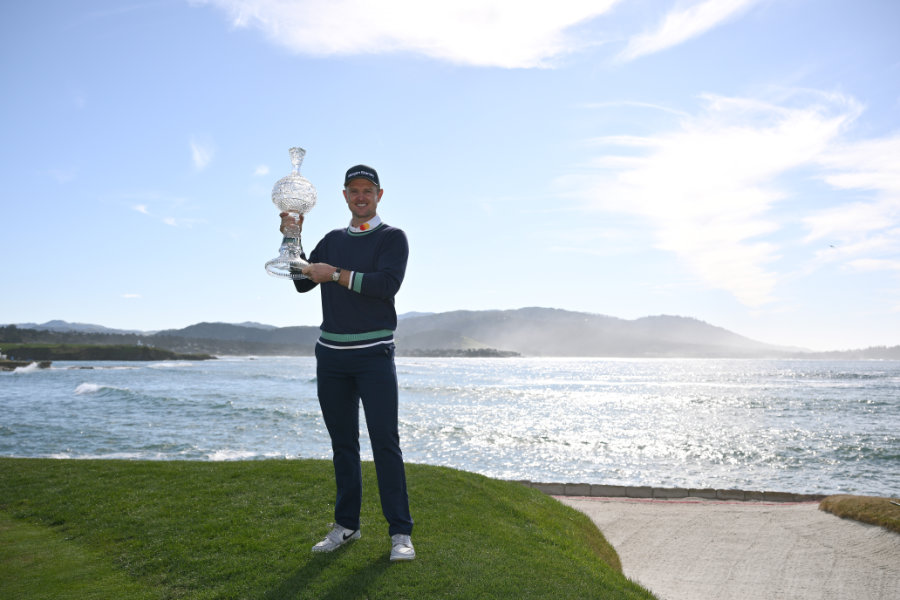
[344, 378]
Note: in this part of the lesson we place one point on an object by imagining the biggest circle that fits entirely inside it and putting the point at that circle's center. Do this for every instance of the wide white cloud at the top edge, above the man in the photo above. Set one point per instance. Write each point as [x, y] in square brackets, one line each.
[503, 33]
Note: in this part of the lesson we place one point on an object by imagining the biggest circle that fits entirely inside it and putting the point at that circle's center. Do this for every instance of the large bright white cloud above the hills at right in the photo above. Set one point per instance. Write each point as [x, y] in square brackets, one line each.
[707, 188]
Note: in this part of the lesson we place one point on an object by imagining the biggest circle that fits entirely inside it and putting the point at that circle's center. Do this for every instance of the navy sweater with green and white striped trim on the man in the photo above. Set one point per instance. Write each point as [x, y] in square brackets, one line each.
[364, 313]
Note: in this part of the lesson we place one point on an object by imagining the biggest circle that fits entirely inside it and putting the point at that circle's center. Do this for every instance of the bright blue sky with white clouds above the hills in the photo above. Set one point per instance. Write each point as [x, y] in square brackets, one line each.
[737, 161]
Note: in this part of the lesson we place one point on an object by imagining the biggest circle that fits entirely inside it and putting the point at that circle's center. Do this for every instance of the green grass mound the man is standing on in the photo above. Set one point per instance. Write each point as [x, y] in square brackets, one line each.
[130, 529]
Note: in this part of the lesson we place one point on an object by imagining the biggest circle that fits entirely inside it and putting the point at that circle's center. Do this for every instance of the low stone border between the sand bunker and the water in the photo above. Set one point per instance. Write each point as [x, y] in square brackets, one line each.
[647, 492]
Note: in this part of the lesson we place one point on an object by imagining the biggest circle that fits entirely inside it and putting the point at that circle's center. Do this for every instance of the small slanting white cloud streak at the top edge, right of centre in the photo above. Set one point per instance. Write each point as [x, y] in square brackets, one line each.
[682, 24]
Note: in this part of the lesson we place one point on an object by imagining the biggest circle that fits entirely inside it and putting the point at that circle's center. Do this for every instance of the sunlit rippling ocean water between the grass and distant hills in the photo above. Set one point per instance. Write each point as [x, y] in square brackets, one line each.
[767, 425]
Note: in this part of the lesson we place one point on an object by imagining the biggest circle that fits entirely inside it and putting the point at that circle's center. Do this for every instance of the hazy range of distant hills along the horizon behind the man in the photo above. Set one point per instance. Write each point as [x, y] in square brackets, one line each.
[525, 331]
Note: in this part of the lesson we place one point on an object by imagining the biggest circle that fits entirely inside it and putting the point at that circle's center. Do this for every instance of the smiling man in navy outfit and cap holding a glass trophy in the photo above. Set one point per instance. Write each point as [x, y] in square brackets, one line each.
[359, 269]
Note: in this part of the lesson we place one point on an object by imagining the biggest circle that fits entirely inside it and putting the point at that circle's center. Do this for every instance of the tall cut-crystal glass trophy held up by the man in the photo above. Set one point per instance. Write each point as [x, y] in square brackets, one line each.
[294, 195]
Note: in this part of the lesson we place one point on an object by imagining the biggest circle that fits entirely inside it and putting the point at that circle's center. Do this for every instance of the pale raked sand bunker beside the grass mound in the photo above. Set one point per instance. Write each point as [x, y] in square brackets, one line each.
[691, 549]
